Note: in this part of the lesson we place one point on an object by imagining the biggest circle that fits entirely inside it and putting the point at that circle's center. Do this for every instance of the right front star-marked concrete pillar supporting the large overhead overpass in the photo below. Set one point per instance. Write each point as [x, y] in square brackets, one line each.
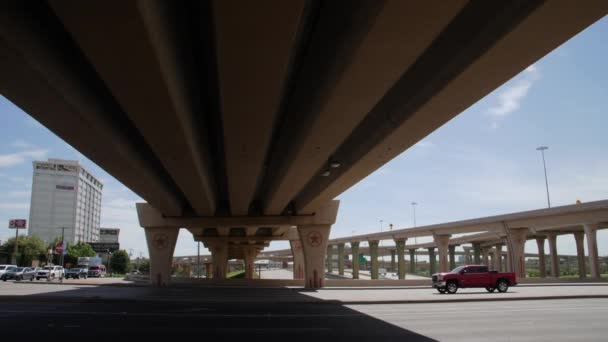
[314, 245]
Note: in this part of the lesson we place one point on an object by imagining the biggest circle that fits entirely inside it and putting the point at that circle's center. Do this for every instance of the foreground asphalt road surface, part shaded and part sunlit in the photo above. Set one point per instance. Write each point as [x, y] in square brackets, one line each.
[538, 320]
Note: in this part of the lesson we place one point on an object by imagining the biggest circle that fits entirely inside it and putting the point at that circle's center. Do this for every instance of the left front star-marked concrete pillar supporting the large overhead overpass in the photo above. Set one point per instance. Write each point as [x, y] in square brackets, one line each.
[161, 245]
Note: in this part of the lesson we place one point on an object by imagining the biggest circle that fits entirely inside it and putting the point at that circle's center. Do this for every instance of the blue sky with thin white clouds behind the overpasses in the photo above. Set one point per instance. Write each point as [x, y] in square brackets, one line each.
[483, 162]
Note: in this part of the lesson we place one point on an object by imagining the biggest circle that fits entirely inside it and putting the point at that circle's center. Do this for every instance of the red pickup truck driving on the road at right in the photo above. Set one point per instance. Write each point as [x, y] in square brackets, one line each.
[473, 276]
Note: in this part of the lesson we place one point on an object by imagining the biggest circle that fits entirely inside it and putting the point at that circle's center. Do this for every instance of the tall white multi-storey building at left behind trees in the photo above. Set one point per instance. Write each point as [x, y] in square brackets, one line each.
[65, 196]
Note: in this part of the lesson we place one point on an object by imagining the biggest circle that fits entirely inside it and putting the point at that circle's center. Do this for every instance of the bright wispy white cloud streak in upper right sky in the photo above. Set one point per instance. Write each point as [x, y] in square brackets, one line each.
[510, 98]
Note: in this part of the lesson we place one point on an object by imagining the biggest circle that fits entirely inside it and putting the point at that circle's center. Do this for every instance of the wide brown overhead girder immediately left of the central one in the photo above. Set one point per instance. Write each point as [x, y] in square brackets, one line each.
[165, 113]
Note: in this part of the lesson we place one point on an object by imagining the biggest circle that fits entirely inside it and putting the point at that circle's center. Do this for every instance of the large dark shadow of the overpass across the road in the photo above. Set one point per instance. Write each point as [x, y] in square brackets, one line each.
[213, 314]
